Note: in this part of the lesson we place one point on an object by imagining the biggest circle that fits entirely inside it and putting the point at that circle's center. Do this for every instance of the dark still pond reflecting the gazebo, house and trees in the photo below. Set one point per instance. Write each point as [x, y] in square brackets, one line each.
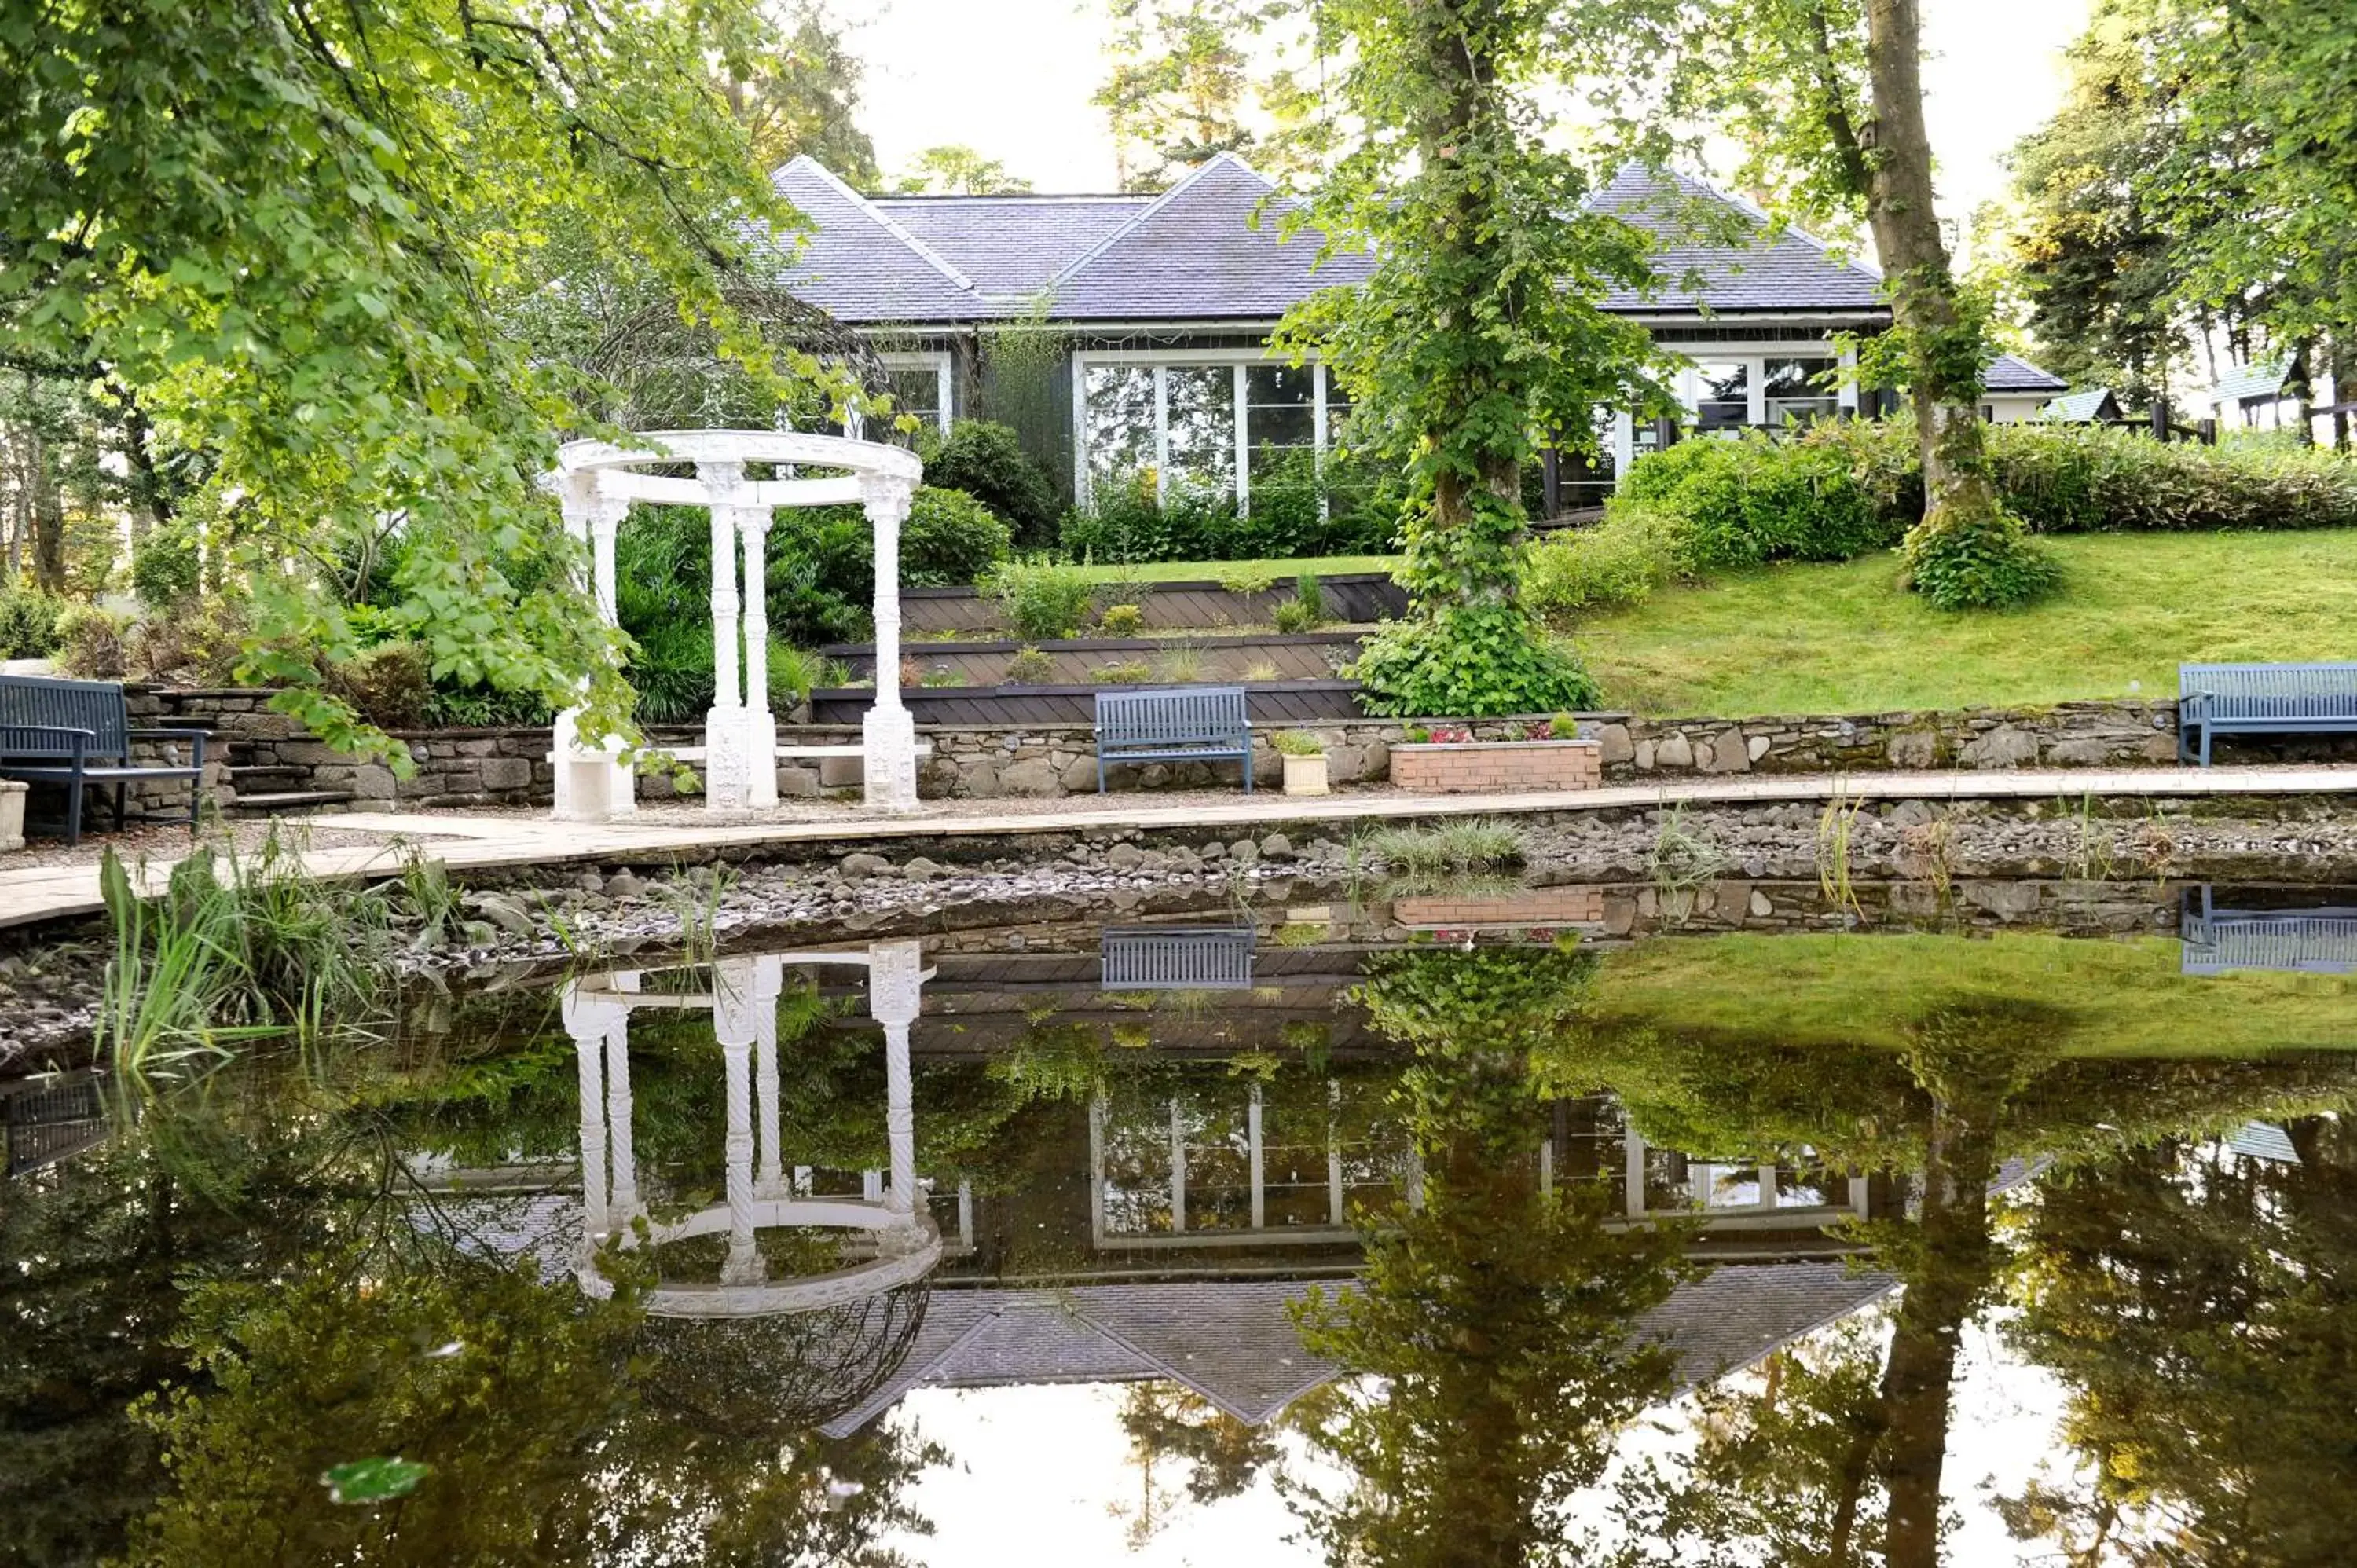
[1257, 1237]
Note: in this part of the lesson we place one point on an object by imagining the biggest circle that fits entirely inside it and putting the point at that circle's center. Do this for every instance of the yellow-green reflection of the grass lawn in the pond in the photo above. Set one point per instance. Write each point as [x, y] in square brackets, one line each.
[2108, 999]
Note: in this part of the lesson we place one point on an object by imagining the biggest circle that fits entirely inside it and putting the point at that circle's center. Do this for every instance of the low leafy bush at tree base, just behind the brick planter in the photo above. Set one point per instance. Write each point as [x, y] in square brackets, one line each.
[1470, 661]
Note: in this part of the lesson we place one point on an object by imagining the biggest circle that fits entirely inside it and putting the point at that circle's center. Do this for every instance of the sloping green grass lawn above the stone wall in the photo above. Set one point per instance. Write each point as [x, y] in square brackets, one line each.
[1847, 640]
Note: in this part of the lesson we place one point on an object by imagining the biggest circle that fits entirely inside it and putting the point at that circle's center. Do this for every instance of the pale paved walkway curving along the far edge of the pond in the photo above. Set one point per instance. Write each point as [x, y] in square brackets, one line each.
[473, 843]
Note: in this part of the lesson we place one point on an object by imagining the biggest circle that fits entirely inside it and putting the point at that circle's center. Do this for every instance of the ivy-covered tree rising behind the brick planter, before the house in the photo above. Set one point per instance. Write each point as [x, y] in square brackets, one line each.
[1479, 324]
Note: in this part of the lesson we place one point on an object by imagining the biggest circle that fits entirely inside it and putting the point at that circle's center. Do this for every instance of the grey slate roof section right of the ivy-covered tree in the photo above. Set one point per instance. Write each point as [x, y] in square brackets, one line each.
[1771, 272]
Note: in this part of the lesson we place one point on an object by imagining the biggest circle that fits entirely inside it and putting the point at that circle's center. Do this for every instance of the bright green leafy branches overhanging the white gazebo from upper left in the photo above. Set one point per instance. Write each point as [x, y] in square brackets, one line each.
[289, 235]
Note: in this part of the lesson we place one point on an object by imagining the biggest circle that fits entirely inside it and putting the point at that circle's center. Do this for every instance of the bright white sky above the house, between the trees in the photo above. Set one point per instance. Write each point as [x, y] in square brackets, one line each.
[1012, 79]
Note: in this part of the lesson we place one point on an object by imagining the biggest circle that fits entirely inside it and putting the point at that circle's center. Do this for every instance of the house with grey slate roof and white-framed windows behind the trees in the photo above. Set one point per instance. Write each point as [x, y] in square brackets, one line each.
[1158, 315]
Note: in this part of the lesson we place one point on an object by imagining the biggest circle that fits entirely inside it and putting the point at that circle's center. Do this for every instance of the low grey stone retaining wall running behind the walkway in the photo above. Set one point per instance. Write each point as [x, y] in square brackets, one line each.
[984, 763]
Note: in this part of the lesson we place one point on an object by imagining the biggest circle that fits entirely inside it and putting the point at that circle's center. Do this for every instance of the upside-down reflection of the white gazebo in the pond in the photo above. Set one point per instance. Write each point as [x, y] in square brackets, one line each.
[762, 1194]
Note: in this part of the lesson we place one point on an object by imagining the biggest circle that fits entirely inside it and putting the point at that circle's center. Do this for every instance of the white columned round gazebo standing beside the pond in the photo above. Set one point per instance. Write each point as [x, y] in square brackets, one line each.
[597, 482]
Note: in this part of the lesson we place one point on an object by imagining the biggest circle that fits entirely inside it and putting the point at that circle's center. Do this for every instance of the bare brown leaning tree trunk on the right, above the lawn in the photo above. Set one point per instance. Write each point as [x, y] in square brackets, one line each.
[1943, 348]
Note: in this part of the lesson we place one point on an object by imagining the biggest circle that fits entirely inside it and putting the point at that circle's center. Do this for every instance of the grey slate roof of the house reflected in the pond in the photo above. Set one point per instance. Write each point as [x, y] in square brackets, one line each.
[1236, 1345]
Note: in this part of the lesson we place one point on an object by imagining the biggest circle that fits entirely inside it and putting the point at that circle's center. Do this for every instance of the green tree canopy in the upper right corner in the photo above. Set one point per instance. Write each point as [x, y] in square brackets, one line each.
[2200, 176]
